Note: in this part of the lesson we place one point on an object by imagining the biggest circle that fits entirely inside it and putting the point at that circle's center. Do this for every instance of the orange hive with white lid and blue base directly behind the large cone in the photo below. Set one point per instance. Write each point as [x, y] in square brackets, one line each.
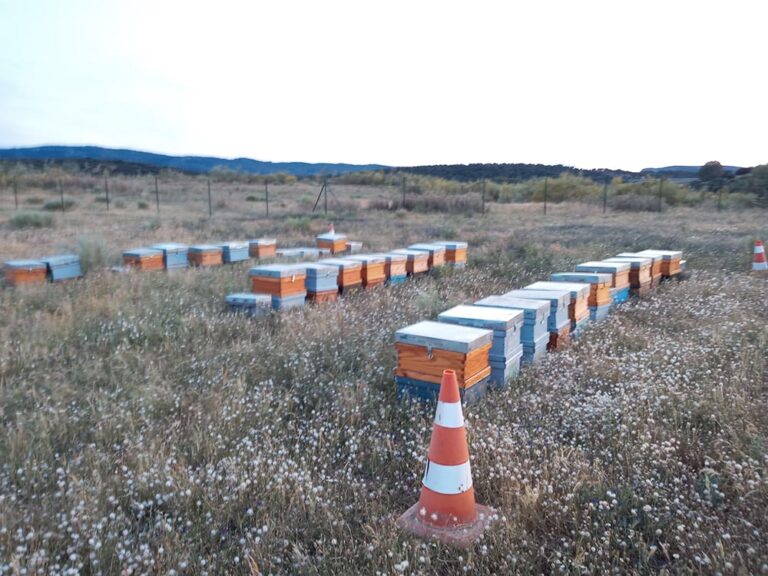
[425, 349]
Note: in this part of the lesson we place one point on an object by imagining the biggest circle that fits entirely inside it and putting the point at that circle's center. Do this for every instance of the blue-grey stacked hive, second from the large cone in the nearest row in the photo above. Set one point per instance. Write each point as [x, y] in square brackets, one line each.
[506, 350]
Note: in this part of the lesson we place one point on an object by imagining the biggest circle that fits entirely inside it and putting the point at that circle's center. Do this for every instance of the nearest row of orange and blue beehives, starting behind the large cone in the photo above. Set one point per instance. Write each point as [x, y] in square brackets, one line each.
[488, 342]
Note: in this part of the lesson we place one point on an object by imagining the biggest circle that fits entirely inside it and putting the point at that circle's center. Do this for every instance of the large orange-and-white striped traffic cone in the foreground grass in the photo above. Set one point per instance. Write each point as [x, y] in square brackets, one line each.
[447, 509]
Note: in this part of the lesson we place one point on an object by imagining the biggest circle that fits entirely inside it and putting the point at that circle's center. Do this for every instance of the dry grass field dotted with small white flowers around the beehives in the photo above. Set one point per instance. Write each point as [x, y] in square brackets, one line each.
[147, 431]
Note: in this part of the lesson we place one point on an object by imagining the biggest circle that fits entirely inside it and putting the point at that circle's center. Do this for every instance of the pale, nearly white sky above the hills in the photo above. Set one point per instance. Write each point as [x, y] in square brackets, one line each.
[591, 84]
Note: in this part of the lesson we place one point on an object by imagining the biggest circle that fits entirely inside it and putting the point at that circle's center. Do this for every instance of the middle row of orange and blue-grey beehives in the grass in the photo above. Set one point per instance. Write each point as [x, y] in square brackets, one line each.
[279, 286]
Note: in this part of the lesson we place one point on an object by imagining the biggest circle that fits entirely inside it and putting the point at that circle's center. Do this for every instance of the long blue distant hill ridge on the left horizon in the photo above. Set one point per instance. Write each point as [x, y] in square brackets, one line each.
[133, 160]
